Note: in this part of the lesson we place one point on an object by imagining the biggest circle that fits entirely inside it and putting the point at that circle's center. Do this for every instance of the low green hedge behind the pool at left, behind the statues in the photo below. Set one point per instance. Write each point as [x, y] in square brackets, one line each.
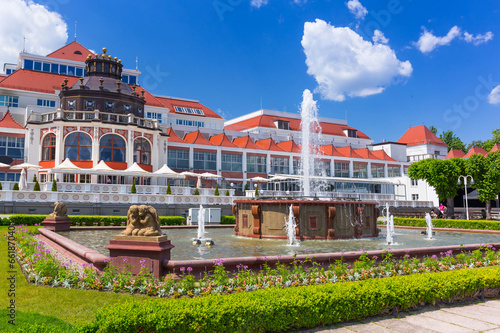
[88, 220]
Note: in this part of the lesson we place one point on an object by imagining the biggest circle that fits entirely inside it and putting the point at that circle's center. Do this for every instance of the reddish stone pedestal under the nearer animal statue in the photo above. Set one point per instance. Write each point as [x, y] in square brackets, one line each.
[132, 252]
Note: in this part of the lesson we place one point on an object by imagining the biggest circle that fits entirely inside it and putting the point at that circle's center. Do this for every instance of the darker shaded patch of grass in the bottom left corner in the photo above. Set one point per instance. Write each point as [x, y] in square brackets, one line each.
[33, 322]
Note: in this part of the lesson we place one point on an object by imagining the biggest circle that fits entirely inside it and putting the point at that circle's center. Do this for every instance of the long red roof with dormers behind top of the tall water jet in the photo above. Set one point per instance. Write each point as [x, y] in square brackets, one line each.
[293, 124]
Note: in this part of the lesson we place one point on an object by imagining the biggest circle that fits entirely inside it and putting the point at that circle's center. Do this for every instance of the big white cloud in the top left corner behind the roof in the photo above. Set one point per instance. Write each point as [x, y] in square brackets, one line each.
[44, 30]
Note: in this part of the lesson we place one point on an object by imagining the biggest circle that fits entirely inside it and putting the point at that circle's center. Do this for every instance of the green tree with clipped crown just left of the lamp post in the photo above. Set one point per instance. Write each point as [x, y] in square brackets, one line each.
[442, 175]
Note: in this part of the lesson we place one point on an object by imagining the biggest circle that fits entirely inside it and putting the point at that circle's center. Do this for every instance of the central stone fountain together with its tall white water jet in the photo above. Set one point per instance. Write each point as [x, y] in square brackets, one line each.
[314, 218]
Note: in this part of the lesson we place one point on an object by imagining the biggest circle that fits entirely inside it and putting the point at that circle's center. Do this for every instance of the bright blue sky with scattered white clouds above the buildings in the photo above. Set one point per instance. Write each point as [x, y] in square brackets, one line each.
[433, 63]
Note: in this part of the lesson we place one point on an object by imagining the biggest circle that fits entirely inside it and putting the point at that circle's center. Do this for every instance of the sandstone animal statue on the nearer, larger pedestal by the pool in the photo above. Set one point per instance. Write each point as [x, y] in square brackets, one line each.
[142, 221]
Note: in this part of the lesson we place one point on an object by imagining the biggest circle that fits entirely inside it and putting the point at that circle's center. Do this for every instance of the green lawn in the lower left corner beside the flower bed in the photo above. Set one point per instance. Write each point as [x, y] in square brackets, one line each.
[59, 307]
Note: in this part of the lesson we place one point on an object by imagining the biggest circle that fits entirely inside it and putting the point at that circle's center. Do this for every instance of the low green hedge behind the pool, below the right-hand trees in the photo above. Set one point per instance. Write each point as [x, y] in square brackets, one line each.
[449, 223]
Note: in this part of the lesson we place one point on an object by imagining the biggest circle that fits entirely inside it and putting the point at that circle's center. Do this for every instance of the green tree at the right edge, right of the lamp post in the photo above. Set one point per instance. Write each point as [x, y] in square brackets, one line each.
[486, 174]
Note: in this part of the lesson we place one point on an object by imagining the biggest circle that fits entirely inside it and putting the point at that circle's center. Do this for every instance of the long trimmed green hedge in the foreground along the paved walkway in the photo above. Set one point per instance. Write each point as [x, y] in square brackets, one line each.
[275, 310]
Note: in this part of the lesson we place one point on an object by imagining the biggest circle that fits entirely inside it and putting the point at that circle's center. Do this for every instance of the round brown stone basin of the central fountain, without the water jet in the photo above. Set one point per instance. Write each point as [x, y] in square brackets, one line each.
[316, 219]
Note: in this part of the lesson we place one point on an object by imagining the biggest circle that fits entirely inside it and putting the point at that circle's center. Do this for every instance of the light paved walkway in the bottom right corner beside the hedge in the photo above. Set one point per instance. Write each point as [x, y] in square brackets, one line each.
[465, 317]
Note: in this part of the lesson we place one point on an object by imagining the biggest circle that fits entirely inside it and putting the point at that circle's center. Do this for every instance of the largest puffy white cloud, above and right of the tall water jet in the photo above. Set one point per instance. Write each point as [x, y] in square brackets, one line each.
[344, 64]
